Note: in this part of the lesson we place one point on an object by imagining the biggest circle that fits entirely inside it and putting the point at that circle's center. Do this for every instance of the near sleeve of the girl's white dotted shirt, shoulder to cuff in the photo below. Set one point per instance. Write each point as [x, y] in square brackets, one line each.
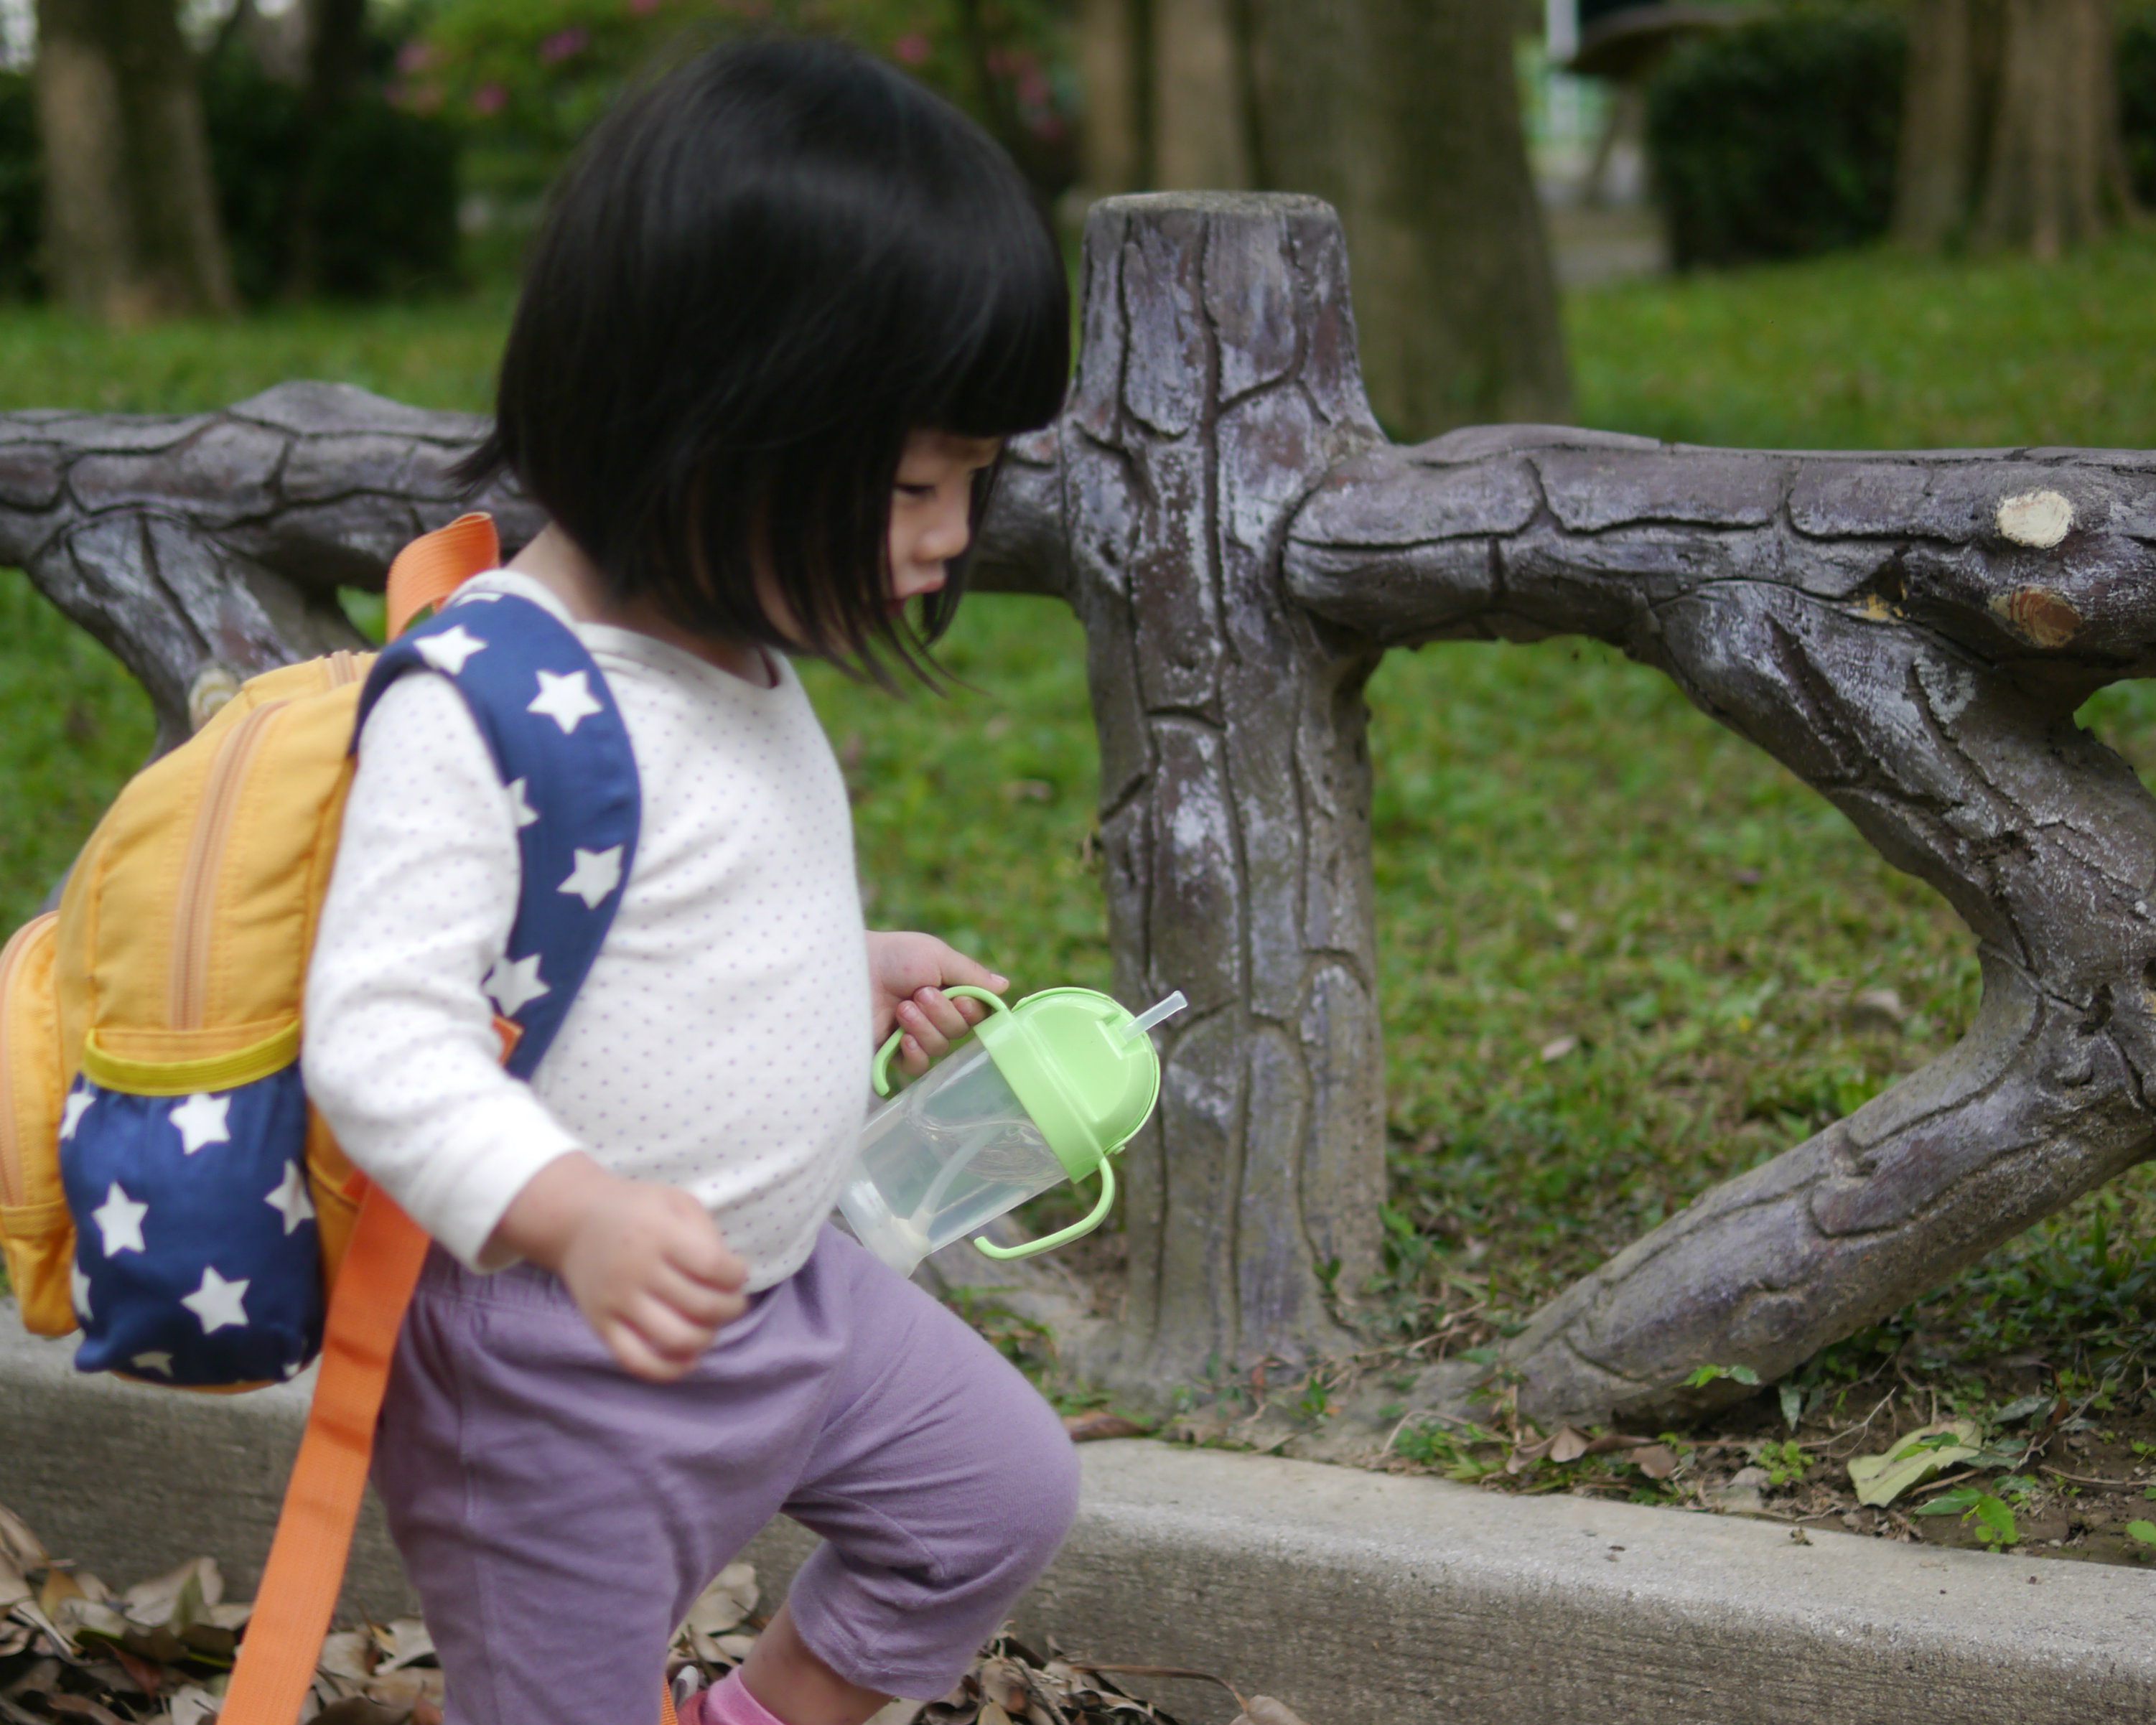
[400, 1047]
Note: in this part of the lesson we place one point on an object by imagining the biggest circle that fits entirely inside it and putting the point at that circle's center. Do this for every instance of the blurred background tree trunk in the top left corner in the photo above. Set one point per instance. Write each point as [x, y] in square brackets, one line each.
[130, 208]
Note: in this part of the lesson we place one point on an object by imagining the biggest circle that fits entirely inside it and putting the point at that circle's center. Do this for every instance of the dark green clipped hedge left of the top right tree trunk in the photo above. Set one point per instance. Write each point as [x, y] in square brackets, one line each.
[1778, 139]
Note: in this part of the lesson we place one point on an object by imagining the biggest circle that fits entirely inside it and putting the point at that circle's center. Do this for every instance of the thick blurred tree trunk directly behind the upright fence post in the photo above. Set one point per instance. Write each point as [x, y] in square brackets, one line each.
[1407, 118]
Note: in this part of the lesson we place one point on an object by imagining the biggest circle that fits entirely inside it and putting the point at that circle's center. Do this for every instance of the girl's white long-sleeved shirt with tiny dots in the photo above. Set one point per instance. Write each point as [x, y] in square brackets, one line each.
[721, 1040]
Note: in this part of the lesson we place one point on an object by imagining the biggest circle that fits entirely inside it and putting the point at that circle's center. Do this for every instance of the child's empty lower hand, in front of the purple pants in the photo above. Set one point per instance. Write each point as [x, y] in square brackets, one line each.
[644, 1262]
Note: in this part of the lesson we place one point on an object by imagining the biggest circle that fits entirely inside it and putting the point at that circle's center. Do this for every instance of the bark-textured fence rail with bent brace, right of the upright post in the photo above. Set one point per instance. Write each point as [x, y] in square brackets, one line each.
[1911, 635]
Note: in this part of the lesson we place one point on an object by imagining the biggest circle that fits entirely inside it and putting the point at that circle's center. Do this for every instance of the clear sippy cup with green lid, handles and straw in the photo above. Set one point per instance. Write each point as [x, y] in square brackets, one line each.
[1047, 1092]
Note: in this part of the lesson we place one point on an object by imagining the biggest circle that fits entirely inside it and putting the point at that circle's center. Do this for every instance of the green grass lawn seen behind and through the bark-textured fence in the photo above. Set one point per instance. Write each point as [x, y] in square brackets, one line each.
[1566, 853]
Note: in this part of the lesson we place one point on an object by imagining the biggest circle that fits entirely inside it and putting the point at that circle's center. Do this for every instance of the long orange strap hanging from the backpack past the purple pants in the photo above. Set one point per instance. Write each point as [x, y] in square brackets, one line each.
[314, 1534]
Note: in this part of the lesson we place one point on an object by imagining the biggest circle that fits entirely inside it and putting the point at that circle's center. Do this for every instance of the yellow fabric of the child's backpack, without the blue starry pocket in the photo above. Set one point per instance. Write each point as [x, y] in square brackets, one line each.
[178, 956]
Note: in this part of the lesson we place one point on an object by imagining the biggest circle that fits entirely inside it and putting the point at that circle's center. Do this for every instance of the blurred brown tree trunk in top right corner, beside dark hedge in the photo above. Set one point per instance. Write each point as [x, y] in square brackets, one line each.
[2010, 126]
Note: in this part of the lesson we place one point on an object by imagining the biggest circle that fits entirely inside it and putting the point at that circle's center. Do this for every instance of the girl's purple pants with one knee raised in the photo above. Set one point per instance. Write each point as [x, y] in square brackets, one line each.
[559, 1517]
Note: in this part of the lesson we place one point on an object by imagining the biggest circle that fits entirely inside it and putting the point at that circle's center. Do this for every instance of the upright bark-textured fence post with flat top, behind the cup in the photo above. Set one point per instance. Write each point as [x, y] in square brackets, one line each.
[1217, 383]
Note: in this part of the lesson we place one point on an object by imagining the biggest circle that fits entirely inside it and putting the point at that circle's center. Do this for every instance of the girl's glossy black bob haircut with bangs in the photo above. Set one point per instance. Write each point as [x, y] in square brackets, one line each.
[762, 273]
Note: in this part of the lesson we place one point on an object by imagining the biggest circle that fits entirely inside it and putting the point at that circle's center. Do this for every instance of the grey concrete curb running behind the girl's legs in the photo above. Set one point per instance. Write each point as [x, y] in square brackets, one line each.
[1357, 1599]
